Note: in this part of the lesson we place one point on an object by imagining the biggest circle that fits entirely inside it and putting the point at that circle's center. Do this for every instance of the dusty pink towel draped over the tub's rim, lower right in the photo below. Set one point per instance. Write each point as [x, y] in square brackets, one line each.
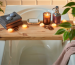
[66, 53]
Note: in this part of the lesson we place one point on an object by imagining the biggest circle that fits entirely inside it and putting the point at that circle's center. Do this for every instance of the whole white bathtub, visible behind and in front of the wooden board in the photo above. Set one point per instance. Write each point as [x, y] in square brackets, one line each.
[32, 52]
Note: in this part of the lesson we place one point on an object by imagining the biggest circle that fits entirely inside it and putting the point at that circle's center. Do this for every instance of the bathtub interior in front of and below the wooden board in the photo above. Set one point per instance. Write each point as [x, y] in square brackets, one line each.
[33, 52]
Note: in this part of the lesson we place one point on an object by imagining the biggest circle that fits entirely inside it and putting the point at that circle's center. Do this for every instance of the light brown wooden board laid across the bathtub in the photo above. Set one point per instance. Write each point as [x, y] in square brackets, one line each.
[33, 32]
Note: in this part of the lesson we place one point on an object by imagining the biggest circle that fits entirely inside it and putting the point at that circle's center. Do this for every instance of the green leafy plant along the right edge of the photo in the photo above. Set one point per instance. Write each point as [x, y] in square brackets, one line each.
[70, 33]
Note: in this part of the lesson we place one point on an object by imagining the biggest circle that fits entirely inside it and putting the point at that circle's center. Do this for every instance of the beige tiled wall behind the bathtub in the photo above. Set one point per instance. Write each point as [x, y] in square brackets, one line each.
[38, 2]
